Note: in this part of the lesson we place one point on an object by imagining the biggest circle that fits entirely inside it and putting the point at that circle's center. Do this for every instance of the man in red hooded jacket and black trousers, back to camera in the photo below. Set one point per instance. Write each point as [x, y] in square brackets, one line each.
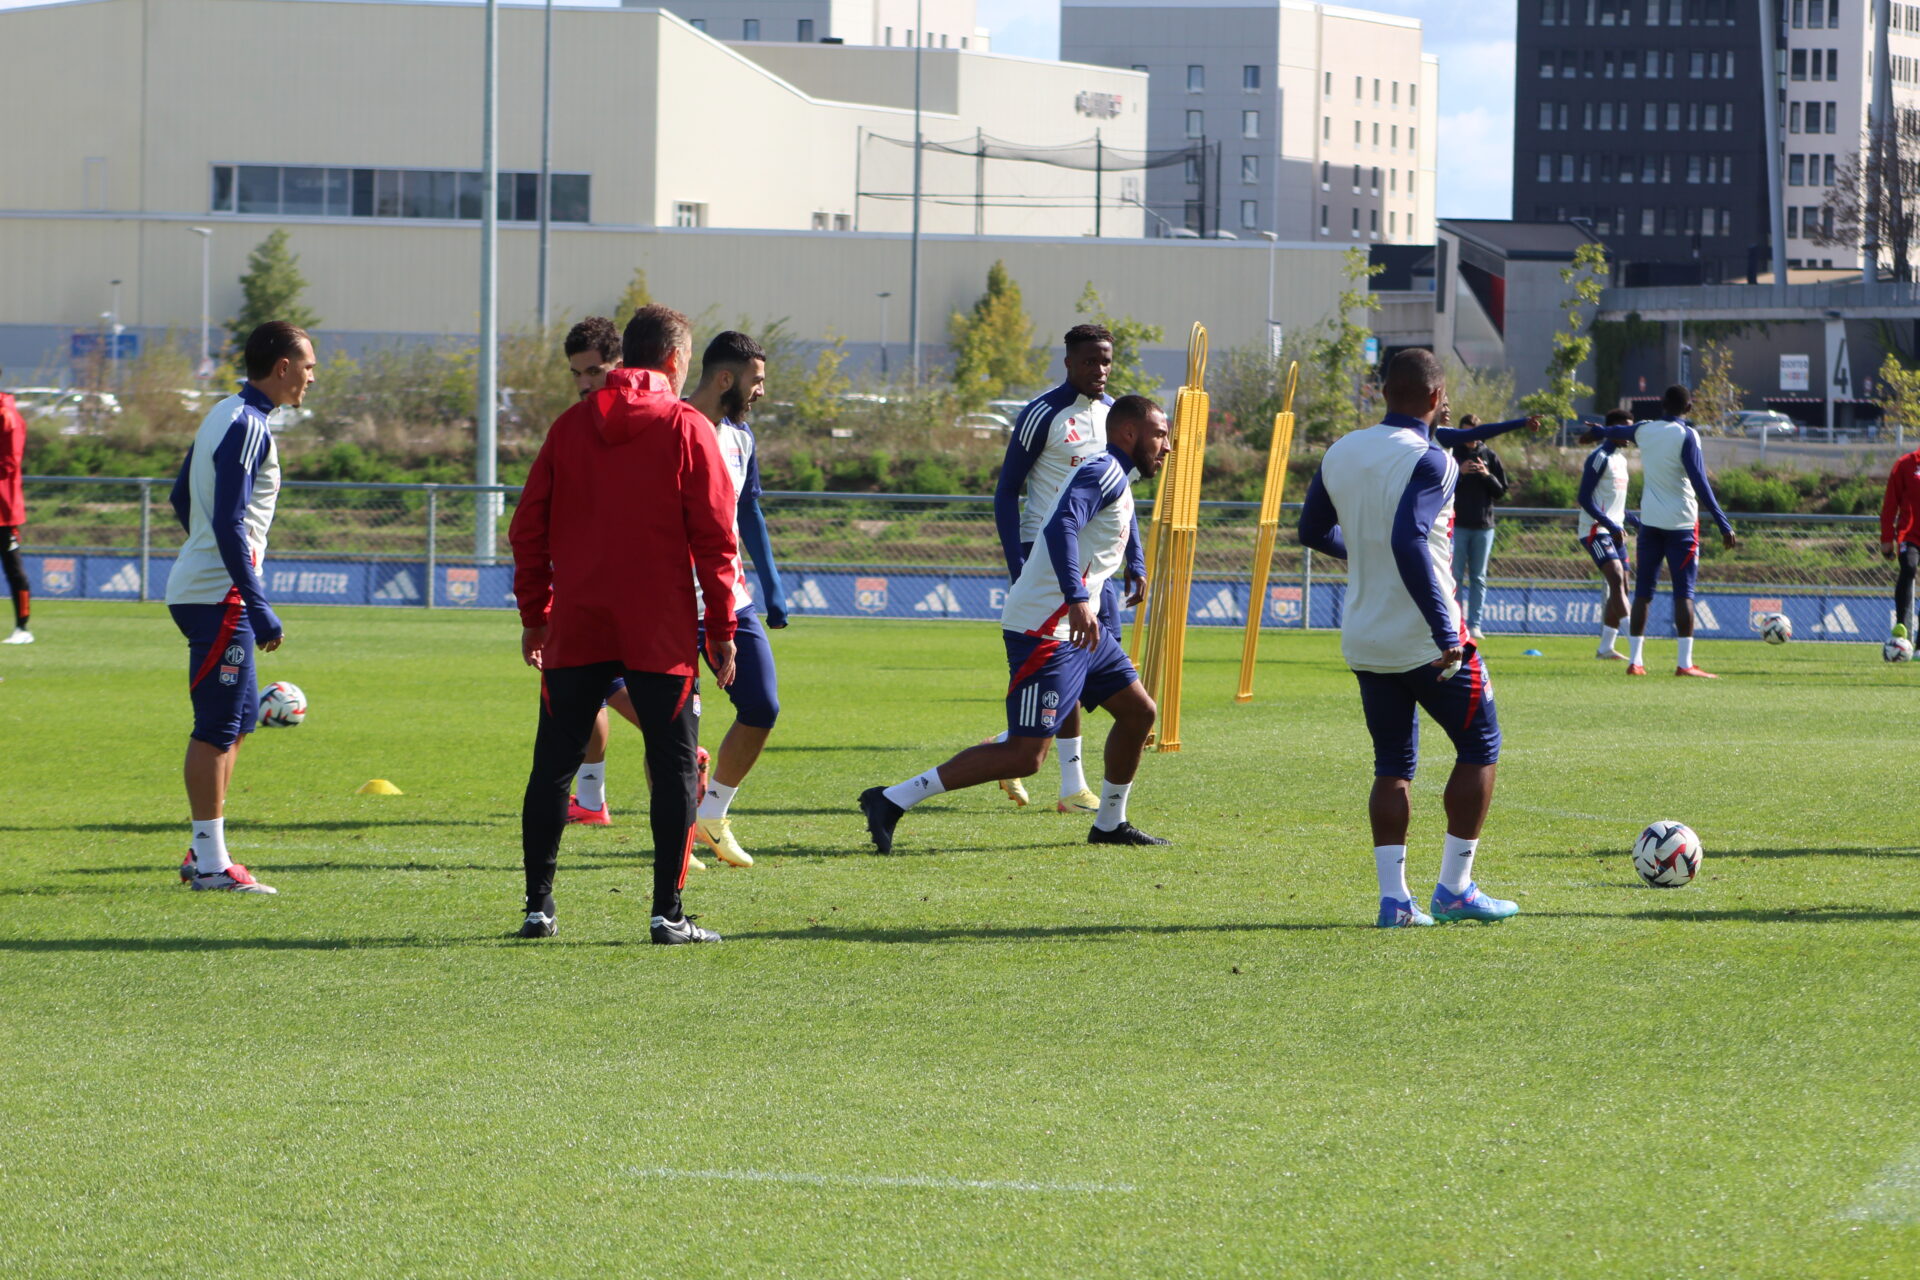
[627, 494]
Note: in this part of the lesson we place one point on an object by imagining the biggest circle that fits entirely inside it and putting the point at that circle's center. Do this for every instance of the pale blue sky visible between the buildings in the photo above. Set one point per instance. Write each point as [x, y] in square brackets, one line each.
[1474, 41]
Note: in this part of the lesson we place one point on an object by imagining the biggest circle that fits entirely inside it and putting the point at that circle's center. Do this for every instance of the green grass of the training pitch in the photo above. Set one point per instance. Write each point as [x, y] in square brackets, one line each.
[1203, 1056]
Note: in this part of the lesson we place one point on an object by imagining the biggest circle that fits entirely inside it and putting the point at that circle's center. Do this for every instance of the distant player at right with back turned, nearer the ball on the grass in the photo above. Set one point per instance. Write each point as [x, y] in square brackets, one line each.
[1673, 485]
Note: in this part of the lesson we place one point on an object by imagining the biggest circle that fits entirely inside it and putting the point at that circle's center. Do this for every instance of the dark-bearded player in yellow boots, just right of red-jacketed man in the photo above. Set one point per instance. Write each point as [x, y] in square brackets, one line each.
[732, 379]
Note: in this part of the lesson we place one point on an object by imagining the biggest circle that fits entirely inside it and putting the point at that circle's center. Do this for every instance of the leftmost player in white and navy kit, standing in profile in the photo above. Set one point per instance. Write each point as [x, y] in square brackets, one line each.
[226, 496]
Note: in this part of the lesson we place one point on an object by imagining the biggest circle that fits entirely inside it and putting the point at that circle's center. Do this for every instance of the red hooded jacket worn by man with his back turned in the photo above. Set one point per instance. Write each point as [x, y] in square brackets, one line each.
[627, 502]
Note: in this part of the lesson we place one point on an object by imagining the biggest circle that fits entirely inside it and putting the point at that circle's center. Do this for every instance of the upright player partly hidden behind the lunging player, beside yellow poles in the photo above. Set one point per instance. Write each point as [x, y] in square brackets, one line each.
[1055, 435]
